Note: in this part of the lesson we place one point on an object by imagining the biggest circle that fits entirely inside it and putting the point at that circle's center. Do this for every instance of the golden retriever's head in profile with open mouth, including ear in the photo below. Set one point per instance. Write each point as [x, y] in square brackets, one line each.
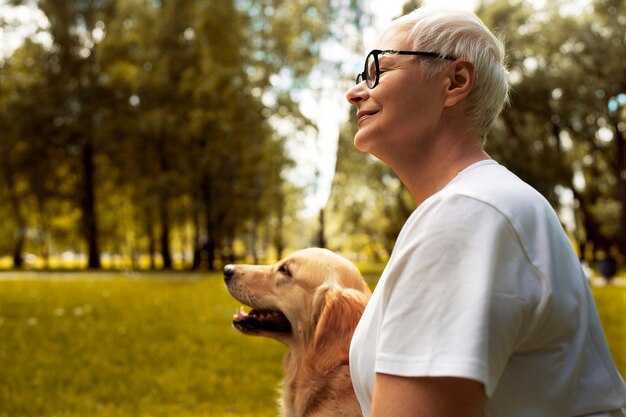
[311, 297]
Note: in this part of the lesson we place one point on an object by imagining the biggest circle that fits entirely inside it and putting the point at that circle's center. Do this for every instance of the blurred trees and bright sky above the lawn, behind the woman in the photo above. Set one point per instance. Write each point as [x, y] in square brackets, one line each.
[185, 134]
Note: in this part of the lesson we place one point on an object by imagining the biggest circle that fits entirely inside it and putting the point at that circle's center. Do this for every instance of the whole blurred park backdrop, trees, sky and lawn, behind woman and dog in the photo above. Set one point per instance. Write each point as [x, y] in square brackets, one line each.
[146, 143]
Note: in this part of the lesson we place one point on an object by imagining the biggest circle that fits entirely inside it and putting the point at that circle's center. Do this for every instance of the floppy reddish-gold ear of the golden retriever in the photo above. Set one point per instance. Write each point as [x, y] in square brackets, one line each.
[338, 313]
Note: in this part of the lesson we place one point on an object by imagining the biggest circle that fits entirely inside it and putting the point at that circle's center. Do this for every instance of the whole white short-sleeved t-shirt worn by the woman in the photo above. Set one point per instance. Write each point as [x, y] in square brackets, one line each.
[484, 284]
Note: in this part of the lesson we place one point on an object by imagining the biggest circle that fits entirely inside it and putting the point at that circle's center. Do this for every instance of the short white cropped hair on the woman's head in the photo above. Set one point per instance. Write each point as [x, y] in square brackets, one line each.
[462, 34]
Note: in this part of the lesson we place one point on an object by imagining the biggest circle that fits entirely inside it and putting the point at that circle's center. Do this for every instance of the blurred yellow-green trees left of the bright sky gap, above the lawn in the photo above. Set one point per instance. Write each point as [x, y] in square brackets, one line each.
[151, 120]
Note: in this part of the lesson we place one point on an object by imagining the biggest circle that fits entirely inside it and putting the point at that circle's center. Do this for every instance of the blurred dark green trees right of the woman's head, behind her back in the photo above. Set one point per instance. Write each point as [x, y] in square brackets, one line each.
[564, 128]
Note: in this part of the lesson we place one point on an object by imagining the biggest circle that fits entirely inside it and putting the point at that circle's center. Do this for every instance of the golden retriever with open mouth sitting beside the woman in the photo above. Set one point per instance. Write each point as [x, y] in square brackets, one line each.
[311, 301]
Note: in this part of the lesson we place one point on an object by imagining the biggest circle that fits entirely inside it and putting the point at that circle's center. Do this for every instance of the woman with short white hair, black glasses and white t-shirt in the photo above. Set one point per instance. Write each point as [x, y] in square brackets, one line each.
[483, 308]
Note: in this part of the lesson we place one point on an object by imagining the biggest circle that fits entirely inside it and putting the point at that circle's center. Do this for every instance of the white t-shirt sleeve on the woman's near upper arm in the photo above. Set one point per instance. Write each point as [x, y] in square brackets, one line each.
[458, 294]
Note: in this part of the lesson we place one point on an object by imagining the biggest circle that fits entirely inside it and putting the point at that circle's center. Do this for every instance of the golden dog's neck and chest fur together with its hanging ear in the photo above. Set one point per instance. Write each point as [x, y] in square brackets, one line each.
[317, 376]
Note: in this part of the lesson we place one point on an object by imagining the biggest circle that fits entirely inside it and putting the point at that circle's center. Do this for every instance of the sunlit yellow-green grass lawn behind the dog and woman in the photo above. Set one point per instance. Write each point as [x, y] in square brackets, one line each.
[151, 345]
